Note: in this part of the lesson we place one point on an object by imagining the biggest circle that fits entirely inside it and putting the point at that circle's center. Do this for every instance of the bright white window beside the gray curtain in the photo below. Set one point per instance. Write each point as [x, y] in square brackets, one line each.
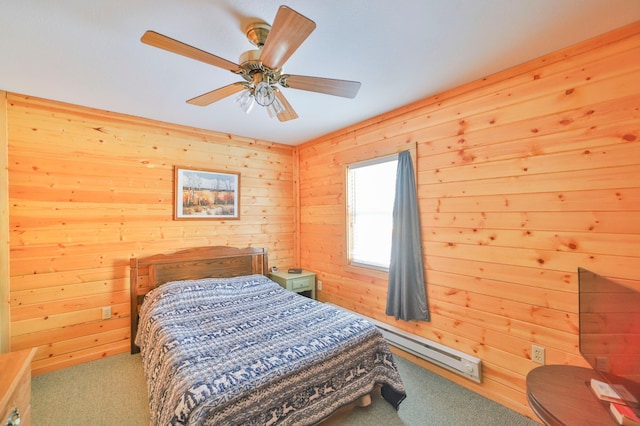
[370, 196]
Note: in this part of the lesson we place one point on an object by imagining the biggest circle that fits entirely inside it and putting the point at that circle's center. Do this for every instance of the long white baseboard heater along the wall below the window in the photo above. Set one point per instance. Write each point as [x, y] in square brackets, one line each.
[463, 364]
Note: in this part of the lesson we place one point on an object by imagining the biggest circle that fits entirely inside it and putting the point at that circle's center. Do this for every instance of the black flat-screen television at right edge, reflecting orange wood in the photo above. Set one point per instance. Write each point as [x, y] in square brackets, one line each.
[610, 330]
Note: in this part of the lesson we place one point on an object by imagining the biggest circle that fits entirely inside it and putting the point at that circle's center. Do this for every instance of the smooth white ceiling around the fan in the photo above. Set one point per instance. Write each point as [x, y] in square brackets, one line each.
[89, 53]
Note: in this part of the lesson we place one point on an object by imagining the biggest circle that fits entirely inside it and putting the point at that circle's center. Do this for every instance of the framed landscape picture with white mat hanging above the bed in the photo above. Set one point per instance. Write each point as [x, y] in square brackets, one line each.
[206, 194]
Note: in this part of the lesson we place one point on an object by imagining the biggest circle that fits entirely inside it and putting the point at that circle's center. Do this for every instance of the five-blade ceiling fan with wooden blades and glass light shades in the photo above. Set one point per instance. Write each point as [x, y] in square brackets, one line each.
[261, 68]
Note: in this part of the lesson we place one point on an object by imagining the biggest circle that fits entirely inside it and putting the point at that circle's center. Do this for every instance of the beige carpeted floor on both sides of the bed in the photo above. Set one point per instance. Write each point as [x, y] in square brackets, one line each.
[112, 391]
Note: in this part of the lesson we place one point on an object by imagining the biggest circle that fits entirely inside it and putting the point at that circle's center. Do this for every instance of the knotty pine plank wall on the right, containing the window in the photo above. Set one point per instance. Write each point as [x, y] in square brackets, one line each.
[522, 177]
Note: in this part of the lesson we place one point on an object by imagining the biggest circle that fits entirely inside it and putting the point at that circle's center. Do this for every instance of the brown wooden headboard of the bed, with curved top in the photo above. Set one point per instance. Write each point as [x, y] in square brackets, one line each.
[202, 262]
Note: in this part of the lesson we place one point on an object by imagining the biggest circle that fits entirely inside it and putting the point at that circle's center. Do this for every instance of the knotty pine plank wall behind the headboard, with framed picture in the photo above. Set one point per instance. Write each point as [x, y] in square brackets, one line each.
[90, 189]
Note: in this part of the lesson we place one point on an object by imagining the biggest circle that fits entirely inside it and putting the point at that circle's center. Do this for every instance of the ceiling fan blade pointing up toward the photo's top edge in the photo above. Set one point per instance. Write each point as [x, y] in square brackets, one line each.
[287, 33]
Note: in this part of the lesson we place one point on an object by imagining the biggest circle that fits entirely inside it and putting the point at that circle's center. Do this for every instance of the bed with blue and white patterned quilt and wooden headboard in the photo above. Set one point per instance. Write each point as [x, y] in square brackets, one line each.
[223, 344]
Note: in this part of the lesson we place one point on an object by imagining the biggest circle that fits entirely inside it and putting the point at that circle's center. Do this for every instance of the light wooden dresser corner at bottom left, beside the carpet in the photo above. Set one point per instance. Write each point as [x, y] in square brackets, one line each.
[15, 387]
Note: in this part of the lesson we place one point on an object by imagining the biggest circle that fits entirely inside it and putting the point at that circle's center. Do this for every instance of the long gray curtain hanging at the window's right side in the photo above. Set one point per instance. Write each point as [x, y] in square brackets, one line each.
[407, 297]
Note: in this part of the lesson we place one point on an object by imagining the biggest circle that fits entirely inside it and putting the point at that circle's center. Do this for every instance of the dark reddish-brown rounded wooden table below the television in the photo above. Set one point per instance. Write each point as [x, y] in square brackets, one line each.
[561, 395]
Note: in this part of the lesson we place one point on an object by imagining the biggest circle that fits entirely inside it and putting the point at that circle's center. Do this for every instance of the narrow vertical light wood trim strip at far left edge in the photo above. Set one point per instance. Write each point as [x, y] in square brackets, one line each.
[5, 313]
